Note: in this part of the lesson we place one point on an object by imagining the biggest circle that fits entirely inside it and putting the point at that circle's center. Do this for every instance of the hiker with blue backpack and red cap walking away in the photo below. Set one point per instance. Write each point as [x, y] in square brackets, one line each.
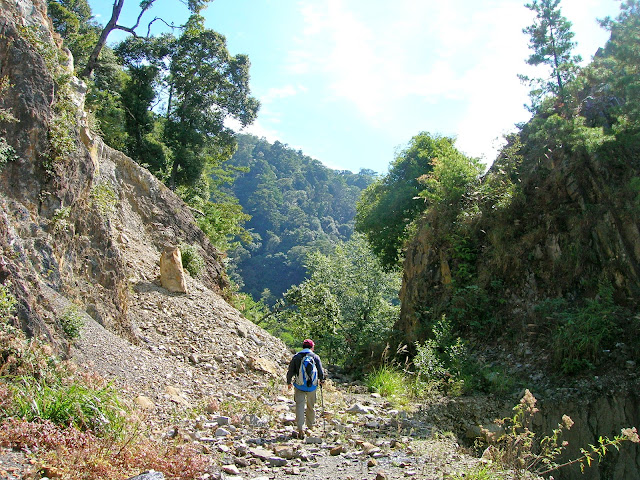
[306, 373]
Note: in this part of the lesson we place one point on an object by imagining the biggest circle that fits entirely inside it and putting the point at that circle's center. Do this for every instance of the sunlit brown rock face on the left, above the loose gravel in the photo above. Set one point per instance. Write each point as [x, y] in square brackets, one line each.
[86, 221]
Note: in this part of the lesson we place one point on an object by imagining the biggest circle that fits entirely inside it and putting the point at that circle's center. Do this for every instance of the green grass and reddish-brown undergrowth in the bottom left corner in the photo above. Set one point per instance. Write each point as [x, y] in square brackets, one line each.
[74, 425]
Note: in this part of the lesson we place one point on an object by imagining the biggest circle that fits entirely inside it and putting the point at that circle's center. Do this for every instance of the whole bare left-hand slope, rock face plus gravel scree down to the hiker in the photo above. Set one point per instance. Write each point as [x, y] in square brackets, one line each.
[82, 228]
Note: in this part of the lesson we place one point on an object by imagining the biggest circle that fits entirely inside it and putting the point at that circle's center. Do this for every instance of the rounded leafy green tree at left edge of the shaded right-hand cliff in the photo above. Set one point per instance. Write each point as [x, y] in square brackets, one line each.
[389, 206]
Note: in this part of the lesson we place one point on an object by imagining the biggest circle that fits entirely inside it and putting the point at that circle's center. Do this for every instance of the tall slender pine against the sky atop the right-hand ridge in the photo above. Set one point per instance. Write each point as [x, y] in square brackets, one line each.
[551, 42]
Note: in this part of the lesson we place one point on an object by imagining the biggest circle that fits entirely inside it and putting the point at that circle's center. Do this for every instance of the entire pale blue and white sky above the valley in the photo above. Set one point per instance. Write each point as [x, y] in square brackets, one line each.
[349, 82]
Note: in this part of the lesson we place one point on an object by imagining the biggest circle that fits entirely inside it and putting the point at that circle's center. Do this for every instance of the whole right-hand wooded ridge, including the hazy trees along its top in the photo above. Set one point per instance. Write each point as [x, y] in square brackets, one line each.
[540, 257]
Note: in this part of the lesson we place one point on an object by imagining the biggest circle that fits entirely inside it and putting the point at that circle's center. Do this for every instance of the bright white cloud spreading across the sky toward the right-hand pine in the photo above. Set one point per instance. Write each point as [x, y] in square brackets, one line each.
[407, 66]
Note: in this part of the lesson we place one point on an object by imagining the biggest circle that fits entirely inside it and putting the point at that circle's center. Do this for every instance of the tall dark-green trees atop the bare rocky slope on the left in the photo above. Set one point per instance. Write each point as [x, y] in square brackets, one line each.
[188, 144]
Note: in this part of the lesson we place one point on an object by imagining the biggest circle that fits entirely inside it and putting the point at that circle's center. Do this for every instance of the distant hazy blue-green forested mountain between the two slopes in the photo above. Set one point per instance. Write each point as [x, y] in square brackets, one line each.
[296, 205]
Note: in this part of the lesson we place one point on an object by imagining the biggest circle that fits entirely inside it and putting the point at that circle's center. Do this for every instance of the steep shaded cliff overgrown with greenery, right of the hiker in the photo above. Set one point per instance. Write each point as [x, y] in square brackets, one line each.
[537, 270]
